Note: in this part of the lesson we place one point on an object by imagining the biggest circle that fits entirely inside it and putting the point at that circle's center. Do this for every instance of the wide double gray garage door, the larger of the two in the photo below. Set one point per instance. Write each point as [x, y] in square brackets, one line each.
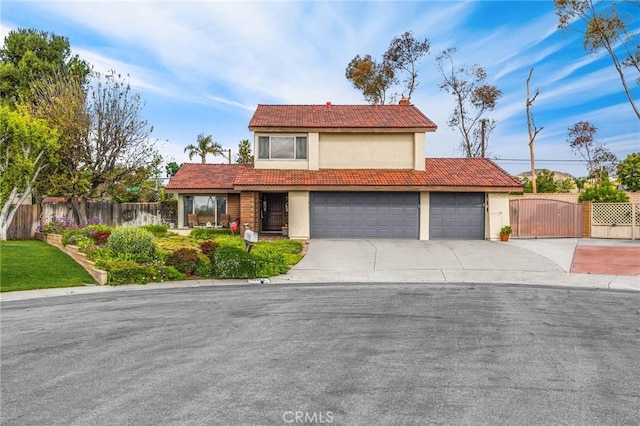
[364, 214]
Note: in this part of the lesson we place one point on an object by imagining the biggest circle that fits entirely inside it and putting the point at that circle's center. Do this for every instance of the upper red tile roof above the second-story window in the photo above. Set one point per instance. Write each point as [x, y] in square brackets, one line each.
[390, 117]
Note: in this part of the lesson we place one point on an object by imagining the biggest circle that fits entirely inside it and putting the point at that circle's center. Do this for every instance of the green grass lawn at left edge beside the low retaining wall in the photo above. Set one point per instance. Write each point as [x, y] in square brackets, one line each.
[32, 264]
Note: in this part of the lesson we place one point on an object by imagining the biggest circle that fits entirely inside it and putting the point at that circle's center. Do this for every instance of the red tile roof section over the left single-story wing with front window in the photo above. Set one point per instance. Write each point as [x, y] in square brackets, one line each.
[205, 176]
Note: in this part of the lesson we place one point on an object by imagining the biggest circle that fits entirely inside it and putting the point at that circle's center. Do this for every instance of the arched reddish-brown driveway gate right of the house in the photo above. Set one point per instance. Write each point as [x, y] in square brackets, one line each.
[544, 218]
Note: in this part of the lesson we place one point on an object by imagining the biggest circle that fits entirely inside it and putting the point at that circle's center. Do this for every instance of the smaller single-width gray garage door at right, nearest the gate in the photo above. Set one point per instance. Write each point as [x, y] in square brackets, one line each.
[456, 216]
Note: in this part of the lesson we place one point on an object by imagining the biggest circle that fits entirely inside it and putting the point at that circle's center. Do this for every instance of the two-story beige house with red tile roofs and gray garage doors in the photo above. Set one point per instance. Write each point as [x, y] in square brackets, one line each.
[349, 171]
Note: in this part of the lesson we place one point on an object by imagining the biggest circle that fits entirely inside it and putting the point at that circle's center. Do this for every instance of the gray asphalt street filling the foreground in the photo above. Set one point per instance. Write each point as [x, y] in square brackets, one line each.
[348, 354]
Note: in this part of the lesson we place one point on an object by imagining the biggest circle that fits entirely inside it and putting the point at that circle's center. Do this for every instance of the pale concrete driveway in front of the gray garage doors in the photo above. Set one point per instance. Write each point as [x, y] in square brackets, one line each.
[547, 261]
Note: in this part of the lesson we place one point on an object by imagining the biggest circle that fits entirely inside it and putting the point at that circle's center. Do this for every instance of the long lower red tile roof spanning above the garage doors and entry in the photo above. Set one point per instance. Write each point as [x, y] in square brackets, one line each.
[439, 173]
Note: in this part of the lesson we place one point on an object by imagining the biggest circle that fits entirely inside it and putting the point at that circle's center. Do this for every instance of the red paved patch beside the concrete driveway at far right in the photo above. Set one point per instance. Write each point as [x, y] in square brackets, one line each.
[606, 260]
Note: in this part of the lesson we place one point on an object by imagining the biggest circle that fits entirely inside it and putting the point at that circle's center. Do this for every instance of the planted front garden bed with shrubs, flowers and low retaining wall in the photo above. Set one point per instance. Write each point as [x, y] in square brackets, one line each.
[129, 255]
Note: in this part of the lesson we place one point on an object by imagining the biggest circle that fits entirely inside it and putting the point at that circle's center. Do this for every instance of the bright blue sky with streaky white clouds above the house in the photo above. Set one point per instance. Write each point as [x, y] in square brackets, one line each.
[203, 66]
